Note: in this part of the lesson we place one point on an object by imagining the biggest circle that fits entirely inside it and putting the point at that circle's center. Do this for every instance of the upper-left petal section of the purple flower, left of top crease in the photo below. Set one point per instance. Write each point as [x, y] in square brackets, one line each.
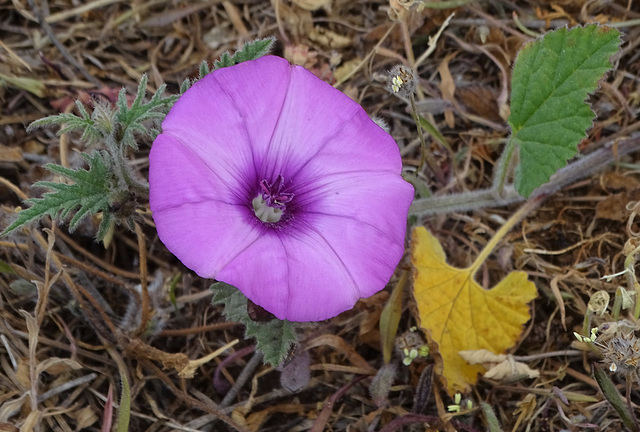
[229, 115]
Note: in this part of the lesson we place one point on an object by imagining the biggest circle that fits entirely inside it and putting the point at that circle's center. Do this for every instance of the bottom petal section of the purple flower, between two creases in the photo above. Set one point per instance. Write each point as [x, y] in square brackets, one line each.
[294, 276]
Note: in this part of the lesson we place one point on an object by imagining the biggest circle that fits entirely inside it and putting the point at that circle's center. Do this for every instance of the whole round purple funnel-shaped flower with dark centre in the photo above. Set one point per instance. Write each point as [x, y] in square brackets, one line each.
[269, 179]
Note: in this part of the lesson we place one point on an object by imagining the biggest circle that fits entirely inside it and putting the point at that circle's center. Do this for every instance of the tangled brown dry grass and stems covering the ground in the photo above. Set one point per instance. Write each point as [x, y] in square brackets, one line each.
[70, 326]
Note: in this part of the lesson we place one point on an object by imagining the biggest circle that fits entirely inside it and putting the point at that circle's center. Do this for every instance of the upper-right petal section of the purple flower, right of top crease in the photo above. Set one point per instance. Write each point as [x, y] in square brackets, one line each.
[321, 131]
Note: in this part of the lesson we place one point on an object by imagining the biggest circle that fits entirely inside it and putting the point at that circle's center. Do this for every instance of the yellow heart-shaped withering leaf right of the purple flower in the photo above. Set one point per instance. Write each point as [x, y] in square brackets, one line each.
[458, 314]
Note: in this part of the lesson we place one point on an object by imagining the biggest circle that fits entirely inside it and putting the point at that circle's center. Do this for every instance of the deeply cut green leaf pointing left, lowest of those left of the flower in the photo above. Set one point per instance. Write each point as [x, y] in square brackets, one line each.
[89, 194]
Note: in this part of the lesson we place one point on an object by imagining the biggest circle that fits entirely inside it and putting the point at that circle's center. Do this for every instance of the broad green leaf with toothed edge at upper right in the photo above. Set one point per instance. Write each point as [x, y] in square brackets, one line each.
[551, 79]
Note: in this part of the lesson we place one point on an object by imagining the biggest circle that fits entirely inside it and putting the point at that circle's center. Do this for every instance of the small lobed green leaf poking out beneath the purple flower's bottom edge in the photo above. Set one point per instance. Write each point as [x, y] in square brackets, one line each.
[274, 338]
